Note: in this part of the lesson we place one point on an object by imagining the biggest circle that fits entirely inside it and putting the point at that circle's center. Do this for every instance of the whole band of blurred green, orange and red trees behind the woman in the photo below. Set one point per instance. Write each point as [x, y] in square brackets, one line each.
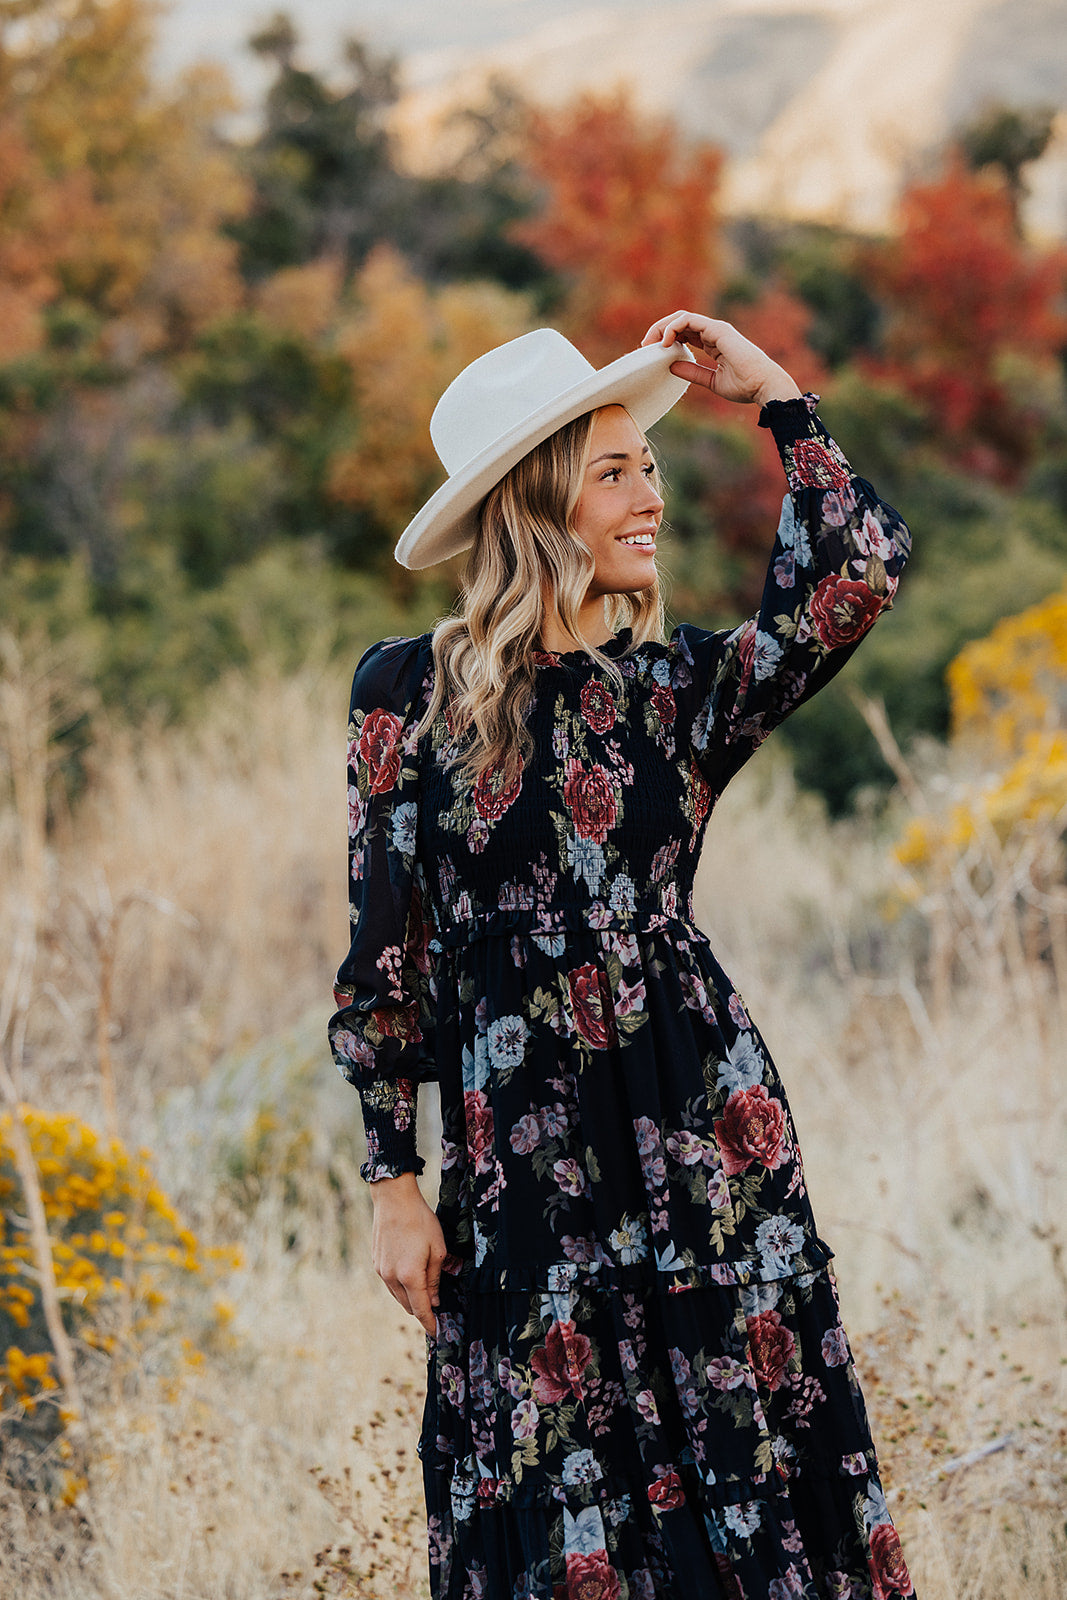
[218, 361]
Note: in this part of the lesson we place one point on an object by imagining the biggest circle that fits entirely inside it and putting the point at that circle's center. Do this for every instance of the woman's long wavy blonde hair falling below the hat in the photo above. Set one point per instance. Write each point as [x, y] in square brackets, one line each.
[526, 550]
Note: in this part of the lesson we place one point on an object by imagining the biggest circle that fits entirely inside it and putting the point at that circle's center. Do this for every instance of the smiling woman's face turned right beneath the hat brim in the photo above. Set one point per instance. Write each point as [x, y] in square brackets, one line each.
[620, 503]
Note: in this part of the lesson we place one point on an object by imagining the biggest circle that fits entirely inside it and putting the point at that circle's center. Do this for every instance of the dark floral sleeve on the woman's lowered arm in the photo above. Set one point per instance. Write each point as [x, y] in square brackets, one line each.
[382, 1036]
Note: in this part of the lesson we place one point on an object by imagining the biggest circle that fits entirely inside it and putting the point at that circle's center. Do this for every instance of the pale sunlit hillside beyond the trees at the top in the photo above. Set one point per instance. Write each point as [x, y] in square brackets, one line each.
[825, 106]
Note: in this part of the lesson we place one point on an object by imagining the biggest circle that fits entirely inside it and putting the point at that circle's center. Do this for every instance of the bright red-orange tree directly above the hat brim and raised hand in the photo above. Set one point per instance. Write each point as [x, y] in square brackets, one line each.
[629, 218]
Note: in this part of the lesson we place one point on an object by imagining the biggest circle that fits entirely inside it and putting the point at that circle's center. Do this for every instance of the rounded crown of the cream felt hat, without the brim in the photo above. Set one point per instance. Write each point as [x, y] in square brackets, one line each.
[500, 391]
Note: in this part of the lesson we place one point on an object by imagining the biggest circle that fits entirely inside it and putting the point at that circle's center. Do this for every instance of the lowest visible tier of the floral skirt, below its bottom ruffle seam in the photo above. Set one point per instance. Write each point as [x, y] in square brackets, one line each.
[820, 1537]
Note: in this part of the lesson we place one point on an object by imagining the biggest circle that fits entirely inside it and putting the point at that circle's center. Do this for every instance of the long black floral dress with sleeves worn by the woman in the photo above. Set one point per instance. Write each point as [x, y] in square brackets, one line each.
[641, 1385]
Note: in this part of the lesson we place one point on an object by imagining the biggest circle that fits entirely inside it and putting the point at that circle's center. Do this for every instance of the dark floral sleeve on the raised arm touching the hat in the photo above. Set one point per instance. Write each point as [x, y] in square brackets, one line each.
[834, 569]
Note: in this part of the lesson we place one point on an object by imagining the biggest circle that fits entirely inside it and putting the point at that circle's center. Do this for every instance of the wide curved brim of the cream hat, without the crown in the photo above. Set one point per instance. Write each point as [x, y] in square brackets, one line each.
[641, 382]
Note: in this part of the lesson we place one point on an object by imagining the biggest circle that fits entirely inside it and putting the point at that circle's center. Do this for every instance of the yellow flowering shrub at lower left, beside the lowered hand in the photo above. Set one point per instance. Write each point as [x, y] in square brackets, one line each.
[121, 1252]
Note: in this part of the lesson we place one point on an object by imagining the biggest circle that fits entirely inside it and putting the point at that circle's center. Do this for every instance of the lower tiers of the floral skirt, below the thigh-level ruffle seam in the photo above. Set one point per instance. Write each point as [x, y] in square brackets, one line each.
[604, 1434]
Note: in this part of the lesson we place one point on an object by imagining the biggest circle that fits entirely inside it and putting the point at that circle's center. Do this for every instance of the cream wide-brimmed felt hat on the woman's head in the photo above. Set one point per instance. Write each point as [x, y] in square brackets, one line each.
[510, 401]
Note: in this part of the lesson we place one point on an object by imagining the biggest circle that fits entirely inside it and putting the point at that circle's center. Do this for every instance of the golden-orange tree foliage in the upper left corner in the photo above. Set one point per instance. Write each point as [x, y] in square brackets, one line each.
[145, 244]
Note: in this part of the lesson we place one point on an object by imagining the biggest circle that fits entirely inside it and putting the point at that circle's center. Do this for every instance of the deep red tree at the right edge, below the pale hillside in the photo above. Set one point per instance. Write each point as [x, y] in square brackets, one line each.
[970, 302]
